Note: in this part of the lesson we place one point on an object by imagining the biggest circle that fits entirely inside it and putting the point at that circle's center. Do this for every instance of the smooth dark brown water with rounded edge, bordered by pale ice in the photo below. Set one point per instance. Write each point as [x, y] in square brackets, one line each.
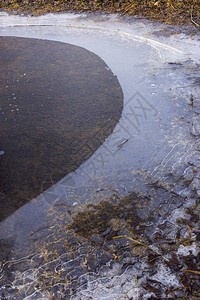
[58, 103]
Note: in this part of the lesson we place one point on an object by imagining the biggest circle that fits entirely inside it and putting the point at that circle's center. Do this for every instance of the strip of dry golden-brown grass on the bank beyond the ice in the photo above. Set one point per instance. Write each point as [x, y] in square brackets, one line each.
[169, 11]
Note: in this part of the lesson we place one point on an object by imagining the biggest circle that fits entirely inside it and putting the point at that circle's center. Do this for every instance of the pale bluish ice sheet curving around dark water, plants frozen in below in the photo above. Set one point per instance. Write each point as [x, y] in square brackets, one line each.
[149, 150]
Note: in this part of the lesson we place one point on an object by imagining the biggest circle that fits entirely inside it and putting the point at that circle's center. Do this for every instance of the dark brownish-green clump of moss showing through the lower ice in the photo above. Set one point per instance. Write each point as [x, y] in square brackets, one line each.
[96, 218]
